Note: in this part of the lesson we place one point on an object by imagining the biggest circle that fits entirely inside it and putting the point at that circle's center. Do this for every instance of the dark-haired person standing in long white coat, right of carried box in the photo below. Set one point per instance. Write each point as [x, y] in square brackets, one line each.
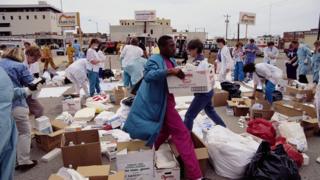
[224, 61]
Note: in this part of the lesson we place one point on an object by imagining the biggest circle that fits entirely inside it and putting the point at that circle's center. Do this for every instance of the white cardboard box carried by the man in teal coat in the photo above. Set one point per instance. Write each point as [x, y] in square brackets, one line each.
[194, 82]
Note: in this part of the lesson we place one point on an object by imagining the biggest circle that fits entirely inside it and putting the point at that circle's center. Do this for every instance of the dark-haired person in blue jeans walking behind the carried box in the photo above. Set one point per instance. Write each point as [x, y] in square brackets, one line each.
[200, 100]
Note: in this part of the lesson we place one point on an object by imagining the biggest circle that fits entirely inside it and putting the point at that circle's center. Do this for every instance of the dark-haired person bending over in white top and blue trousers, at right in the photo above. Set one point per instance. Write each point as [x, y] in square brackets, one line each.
[263, 72]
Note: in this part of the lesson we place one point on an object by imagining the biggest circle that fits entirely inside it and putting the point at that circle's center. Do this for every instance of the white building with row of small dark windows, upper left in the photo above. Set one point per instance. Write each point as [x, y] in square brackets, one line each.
[29, 19]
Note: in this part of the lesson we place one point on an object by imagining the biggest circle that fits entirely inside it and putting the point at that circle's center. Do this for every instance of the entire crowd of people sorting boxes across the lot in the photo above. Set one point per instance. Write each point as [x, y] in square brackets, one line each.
[147, 70]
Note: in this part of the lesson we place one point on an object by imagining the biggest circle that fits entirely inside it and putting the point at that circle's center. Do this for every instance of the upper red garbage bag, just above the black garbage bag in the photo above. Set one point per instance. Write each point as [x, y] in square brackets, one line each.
[262, 129]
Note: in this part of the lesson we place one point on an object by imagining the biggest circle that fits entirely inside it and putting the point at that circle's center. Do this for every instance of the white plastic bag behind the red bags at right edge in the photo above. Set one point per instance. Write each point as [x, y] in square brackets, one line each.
[294, 134]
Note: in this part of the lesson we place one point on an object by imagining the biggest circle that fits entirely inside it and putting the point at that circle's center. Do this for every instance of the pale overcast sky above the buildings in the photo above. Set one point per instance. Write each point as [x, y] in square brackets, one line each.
[286, 15]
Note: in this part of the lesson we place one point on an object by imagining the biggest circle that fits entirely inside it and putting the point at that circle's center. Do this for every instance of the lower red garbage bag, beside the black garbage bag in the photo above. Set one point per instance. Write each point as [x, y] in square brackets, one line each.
[291, 151]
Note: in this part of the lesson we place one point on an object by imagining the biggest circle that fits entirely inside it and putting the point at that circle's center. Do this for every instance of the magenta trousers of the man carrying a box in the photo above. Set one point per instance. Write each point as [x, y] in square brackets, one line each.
[174, 126]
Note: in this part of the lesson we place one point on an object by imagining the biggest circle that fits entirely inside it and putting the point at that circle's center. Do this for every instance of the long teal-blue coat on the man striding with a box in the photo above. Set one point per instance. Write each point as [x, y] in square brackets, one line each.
[149, 107]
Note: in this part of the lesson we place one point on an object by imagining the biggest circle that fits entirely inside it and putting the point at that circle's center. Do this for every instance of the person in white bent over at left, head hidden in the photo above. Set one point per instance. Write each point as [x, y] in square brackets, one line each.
[77, 74]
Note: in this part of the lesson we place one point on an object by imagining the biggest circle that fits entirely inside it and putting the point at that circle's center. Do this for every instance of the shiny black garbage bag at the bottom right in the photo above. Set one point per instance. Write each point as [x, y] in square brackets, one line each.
[271, 165]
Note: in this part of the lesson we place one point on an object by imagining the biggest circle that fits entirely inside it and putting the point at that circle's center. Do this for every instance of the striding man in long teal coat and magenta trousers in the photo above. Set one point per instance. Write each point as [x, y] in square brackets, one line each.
[153, 116]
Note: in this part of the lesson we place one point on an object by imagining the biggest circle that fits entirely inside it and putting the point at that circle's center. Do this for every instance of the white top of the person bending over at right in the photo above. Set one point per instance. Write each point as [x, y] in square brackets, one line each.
[268, 72]
